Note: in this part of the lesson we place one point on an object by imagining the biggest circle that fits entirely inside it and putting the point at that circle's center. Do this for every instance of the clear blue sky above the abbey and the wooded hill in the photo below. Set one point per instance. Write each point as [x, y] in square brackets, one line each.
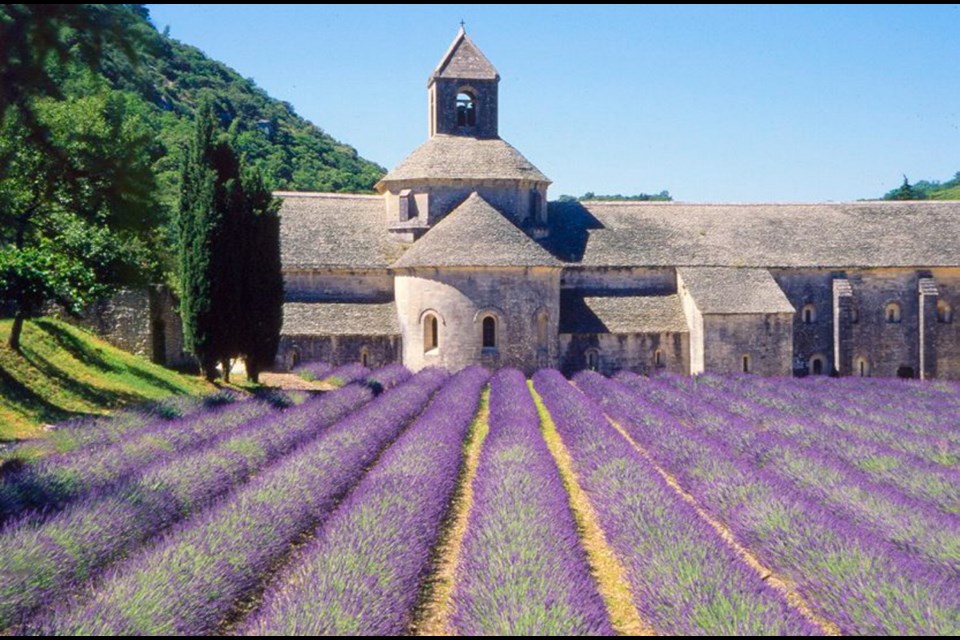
[715, 104]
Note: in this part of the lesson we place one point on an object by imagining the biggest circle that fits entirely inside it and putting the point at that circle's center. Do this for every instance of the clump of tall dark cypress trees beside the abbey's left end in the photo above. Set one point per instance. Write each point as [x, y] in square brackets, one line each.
[229, 255]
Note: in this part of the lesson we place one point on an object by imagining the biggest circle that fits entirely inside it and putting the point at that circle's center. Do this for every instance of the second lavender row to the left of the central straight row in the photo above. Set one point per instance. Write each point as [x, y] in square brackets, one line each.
[188, 582]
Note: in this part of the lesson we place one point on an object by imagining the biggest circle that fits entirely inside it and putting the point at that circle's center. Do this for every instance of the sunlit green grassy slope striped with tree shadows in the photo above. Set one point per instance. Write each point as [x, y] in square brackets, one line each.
[65, 371]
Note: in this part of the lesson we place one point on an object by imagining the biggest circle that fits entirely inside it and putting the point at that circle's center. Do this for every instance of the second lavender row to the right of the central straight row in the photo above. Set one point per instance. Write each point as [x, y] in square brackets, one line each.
[850, 575]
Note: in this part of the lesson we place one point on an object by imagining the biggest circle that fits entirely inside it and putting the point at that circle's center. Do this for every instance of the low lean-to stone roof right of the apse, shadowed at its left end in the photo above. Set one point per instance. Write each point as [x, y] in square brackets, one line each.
[621, 314]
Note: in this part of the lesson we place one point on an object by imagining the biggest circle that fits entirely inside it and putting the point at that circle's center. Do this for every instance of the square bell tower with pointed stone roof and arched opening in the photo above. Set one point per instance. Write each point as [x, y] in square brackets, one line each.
[462, 92]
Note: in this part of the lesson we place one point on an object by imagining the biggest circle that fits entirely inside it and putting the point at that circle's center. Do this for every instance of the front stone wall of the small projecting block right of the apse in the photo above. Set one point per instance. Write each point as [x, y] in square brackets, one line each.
[766, 338]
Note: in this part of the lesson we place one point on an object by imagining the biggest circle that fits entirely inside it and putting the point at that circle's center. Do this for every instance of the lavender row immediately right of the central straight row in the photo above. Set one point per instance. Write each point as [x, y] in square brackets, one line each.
[684, 579]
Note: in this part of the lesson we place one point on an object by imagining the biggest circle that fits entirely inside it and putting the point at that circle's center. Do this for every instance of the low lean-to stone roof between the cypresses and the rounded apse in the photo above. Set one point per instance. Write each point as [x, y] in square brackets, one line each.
[340, 319]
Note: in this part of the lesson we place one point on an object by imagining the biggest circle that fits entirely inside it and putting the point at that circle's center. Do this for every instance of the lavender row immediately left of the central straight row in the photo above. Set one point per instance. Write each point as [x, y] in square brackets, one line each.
[363, 571]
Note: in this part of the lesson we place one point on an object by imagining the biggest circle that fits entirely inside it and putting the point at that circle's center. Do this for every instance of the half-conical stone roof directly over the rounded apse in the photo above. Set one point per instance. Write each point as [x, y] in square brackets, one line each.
[476, 235]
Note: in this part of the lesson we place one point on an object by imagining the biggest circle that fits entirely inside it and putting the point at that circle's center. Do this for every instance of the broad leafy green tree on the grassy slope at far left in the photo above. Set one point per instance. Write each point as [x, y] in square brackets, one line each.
[74, 222]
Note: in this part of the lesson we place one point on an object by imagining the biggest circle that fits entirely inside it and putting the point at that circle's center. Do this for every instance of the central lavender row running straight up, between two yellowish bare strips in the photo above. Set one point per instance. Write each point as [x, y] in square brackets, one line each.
[522, 570]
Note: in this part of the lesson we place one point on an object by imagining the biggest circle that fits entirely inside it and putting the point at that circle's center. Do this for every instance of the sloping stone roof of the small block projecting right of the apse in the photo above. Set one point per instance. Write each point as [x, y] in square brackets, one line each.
[722, 290]
